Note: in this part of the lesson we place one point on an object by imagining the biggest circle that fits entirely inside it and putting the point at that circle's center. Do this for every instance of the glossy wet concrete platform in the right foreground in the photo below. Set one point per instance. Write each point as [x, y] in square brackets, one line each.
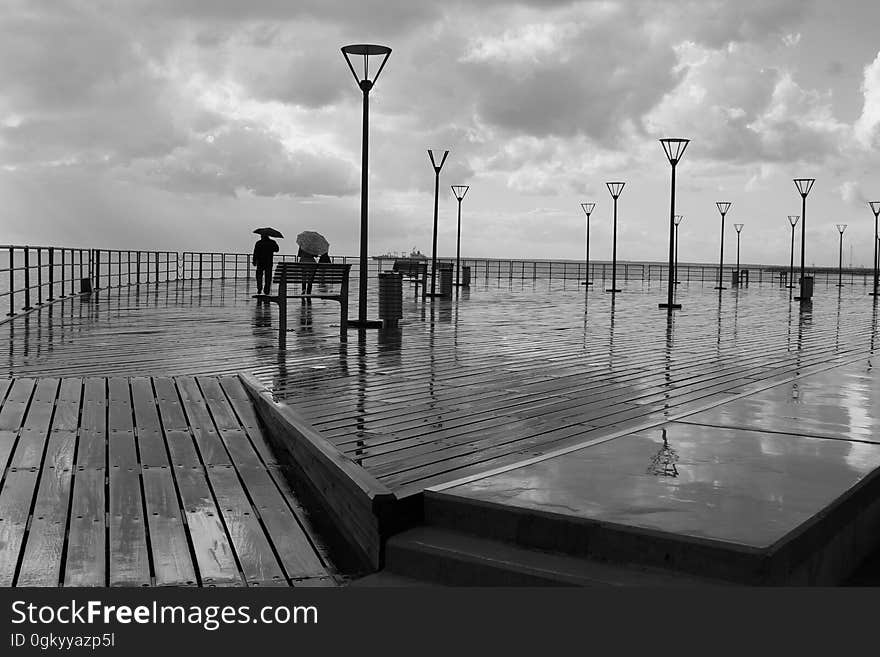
[795, 503]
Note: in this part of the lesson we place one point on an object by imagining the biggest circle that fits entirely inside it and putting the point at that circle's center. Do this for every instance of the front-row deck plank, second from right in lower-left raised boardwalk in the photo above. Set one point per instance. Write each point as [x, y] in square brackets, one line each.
[251, 545]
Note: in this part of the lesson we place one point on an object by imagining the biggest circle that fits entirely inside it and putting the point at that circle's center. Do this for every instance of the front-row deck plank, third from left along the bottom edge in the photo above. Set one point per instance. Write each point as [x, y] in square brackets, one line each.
[86, 562]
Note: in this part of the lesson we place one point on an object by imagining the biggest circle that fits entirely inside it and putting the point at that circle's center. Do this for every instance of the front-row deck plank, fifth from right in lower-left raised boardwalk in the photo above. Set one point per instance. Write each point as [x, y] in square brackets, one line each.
[129, 554]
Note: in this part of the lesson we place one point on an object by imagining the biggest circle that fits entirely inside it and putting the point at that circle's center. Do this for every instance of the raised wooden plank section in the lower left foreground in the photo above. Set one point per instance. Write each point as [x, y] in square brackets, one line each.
[145, 481]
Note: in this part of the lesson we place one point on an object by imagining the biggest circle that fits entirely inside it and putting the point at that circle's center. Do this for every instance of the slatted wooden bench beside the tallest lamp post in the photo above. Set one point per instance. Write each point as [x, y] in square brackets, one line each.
[296, 280]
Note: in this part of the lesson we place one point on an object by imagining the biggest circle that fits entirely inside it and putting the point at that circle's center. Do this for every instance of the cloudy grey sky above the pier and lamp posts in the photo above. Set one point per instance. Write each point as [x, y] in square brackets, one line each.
[183, 124]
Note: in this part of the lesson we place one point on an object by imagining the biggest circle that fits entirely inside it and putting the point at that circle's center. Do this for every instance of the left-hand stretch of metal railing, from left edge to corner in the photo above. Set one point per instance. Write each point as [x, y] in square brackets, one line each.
[33, 276]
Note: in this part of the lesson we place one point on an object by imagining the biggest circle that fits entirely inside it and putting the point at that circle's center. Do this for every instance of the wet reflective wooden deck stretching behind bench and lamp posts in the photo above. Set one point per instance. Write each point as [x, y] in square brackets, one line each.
[501, 374]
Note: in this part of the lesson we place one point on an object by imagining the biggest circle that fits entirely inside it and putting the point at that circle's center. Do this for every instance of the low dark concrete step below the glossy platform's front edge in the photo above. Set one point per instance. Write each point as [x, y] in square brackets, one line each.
[459, 559]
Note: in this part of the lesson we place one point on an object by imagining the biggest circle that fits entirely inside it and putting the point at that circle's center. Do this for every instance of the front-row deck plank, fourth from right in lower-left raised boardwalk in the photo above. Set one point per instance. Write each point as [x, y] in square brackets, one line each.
[172, 563]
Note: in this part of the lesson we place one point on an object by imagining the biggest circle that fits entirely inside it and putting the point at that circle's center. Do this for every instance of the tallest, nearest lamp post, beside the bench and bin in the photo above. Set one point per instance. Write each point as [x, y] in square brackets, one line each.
[366, 84]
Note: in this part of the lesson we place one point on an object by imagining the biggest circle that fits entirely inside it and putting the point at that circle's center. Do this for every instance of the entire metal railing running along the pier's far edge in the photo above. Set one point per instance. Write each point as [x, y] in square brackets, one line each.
[31, 276]
